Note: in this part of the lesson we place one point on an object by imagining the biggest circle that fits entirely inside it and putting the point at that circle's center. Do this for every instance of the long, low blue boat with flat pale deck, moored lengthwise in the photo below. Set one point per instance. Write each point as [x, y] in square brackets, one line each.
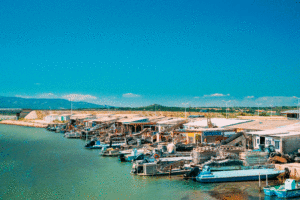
[206, 176]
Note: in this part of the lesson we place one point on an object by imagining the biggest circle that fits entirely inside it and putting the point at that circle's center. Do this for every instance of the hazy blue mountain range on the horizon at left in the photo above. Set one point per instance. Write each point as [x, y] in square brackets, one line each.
[32, 103]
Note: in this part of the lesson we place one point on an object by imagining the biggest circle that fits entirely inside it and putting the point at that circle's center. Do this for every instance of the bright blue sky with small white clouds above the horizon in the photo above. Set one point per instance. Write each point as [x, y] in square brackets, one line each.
[133, 53]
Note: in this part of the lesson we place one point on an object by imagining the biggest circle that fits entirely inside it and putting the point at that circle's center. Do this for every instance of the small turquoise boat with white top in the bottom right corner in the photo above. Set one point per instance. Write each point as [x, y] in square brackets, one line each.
[290, 189]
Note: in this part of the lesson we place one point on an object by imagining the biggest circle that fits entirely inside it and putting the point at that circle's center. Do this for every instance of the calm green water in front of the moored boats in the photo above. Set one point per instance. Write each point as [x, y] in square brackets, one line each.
[37, 164]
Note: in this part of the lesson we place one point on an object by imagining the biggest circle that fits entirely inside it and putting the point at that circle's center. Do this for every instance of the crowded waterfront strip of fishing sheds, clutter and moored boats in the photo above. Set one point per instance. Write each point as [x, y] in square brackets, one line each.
[233, 149]
